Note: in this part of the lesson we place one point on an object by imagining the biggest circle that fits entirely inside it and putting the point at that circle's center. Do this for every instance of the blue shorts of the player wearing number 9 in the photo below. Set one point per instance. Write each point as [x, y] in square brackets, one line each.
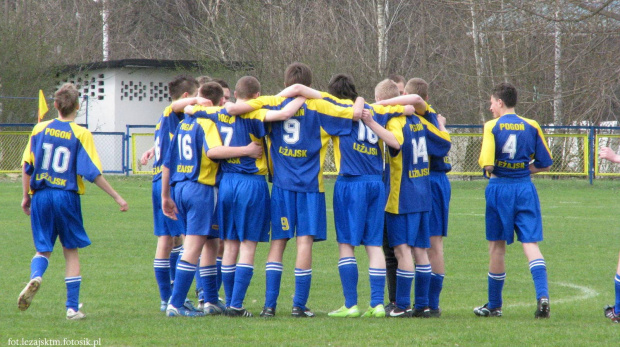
[297, 214]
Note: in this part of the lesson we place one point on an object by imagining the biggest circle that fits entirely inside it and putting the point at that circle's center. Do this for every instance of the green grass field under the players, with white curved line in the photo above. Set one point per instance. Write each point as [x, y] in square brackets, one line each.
[122, 303]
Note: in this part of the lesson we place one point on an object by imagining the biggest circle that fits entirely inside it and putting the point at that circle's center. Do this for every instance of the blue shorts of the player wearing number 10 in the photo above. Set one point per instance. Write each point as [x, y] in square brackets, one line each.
[57, 213]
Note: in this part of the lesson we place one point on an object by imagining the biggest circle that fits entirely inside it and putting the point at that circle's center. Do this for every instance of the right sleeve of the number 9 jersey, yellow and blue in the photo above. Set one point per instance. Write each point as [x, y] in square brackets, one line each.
[334, 119]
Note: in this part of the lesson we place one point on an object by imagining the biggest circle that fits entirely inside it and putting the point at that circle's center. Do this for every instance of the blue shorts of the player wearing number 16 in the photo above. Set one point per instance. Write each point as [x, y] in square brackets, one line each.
[196, 204]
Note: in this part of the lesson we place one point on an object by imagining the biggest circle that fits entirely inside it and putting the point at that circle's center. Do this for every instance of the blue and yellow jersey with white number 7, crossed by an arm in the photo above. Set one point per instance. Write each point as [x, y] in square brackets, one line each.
[238, 131]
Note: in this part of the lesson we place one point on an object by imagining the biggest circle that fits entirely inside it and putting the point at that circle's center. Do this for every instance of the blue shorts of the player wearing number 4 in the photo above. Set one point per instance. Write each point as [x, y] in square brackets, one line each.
[513, 206]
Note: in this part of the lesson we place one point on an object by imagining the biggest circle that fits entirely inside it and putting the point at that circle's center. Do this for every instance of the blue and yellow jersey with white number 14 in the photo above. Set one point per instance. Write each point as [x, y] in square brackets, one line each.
[409, 166]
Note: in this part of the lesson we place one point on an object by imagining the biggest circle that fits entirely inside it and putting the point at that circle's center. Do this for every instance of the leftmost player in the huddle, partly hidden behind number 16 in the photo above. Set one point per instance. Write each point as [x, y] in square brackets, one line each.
[166, 229]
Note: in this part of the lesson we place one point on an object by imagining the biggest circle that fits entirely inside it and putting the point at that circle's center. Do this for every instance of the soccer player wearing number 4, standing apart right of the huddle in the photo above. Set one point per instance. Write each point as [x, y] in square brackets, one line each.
[509, 144]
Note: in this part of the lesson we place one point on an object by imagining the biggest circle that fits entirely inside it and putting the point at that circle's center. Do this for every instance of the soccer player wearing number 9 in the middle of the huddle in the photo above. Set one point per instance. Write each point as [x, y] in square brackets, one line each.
[297, 150]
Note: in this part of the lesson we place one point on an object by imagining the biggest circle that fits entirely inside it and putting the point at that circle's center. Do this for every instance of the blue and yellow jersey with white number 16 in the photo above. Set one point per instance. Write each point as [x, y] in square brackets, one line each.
[187, 156]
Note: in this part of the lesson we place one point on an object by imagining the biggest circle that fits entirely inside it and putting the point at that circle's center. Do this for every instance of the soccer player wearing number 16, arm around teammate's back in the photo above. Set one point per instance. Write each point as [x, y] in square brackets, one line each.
[190, 168]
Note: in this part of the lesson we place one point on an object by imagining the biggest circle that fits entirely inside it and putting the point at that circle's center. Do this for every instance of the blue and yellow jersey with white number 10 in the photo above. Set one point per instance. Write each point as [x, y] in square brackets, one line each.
[58, 154]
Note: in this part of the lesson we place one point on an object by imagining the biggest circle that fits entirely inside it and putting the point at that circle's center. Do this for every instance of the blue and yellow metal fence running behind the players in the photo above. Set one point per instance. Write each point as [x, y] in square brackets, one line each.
[574, 148]
